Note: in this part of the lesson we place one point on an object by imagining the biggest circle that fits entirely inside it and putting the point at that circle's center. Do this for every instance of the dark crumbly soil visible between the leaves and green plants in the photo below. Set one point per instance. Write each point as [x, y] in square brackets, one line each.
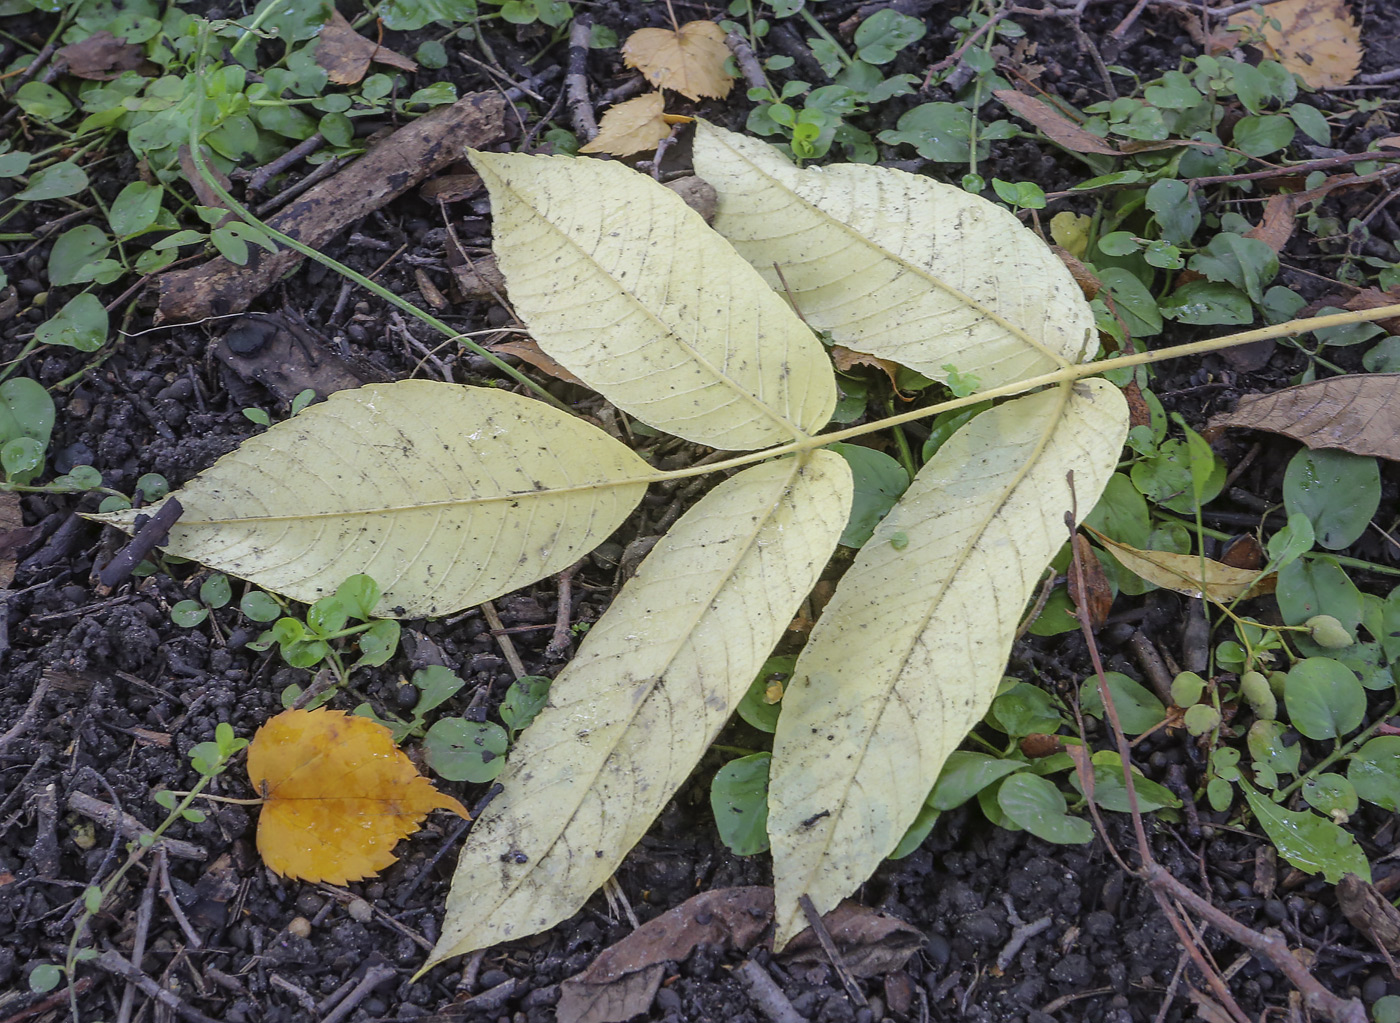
[127, 693]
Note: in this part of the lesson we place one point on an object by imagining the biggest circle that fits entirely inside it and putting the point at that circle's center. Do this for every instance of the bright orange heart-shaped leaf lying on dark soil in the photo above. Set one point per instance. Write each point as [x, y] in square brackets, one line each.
[339, 796]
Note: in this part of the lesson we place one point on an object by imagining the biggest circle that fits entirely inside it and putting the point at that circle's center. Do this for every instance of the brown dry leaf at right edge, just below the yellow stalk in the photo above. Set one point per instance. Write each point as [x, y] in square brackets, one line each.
[1359, 414]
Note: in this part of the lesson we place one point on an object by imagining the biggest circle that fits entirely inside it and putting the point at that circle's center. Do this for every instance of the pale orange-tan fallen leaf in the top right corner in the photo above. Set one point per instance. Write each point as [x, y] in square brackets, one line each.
[1317, 40]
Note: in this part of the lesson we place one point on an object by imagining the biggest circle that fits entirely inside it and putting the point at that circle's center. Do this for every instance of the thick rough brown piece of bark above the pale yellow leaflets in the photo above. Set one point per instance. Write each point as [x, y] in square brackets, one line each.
[391, 169]
